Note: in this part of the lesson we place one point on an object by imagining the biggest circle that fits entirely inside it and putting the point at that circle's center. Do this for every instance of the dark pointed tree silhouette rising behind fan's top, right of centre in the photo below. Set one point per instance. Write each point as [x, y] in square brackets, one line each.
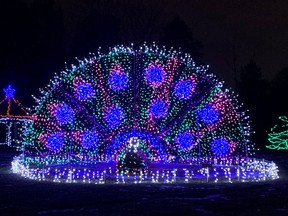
[178, 34]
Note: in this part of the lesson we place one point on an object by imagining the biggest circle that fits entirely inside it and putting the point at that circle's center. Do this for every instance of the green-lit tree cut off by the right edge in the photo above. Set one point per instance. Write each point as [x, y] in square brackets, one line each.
[278, 137]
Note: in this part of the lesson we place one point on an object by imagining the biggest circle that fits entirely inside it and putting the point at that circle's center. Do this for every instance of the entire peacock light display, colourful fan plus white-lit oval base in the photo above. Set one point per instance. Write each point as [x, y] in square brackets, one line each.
[144, 112]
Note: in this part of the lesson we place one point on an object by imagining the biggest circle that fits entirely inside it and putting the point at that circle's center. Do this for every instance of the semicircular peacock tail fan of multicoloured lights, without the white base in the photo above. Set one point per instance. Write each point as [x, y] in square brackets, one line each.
[151, 100]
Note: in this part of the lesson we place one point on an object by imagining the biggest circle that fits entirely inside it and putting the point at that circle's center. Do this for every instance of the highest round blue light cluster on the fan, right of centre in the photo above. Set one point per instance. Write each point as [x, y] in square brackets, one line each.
[155, 75]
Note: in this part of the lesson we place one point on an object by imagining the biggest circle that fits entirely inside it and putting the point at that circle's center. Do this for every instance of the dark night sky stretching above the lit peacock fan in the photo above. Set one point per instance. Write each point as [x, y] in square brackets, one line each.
[37, 38]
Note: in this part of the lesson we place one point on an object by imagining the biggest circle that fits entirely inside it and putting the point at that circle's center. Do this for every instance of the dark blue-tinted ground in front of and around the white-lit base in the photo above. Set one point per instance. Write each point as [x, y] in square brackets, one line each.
[19, 196]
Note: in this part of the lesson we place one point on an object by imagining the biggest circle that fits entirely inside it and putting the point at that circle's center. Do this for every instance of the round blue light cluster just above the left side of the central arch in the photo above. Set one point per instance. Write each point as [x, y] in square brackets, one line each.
[114, 116]
